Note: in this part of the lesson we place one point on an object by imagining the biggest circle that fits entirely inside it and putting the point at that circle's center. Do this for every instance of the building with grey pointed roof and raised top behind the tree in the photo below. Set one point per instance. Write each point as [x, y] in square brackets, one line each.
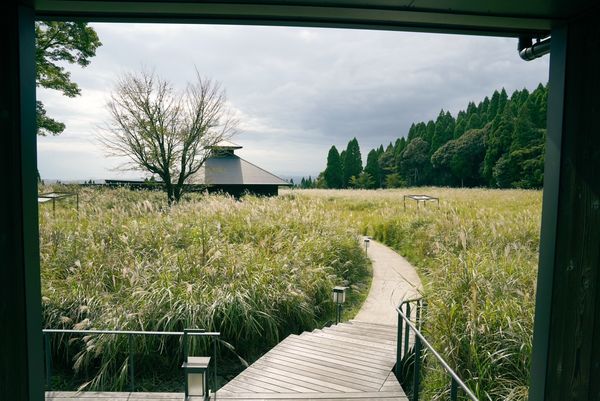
[226, 172]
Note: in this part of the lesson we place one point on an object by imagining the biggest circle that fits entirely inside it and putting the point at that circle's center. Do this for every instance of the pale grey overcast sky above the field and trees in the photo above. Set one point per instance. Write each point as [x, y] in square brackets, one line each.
[297, 91]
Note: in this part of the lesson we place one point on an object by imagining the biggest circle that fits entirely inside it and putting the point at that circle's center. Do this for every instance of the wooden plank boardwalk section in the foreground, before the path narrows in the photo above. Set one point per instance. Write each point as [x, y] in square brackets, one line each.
[348, 361]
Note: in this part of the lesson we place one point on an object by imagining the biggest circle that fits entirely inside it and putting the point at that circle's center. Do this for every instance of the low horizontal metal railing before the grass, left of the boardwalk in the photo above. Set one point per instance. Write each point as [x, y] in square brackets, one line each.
[130, 334]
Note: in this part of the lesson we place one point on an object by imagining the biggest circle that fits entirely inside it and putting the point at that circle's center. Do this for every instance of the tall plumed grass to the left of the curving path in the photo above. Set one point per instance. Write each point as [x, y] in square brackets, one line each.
[255, 270]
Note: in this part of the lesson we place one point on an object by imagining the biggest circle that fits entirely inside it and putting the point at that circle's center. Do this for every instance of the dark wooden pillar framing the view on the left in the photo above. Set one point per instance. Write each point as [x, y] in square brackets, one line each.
[21, 359]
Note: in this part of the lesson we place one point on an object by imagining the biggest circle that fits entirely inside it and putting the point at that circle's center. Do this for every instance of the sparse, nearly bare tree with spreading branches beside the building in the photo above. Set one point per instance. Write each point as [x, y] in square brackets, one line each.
[163, 131]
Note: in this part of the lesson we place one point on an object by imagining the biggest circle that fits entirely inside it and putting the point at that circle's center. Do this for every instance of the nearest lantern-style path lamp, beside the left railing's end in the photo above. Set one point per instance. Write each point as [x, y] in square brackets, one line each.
[195, 369]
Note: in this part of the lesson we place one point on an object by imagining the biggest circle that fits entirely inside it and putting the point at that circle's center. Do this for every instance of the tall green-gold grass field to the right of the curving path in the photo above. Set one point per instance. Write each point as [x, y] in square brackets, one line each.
[477, 255]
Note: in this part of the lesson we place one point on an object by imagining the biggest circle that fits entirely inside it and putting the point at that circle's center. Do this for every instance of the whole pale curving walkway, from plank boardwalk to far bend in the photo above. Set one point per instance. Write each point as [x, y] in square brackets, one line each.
[348, 361]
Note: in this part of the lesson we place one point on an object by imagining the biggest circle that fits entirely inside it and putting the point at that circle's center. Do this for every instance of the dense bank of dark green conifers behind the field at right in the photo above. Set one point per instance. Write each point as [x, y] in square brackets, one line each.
[498, 142]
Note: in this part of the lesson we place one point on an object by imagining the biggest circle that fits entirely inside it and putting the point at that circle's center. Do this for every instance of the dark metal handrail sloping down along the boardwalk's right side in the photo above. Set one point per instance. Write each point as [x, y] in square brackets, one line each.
[456, 381]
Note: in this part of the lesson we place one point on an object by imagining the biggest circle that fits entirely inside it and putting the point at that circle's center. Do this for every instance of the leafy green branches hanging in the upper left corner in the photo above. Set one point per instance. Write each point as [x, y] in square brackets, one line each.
[56, 42]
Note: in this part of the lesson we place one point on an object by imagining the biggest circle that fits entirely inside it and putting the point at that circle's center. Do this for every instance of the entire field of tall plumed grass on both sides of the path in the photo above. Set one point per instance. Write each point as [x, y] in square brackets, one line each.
[261, 268]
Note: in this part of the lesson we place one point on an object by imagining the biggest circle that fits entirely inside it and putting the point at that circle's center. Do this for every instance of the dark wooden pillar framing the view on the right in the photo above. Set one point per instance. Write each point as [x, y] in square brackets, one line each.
[566, 353]
